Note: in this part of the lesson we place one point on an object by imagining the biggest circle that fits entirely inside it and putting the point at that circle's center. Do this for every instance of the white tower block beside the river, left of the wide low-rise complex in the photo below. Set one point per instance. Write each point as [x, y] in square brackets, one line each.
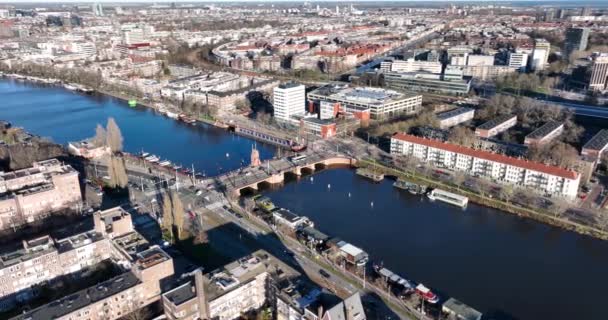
[289, 100]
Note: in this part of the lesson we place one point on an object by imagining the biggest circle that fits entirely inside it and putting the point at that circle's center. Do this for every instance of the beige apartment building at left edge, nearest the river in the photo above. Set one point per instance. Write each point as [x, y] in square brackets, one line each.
[31, 194]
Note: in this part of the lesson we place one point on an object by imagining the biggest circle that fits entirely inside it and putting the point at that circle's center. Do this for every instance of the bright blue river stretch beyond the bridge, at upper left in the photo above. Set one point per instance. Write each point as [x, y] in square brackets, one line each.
[65, 116]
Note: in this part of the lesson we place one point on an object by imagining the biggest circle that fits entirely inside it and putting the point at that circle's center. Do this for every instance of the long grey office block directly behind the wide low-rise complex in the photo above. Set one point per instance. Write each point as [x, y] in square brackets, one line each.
[428, 82]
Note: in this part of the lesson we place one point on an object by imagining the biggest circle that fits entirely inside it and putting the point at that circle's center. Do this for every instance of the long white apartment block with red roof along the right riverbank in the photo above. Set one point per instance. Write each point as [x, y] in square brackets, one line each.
[543, 178]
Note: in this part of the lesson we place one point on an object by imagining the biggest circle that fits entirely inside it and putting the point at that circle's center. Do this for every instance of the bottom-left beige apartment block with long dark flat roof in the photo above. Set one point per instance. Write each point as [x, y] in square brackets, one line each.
[114, 298]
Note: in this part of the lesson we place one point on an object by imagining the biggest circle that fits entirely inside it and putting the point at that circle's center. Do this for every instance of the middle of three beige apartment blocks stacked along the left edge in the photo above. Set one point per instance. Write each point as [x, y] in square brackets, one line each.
[44, 259]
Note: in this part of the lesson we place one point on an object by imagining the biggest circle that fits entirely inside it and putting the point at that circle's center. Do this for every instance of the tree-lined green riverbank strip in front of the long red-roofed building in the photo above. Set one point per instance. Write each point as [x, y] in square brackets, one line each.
[535, 214]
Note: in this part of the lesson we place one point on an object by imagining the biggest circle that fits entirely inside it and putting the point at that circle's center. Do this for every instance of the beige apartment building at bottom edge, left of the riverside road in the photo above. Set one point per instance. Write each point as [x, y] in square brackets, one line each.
[226, 293]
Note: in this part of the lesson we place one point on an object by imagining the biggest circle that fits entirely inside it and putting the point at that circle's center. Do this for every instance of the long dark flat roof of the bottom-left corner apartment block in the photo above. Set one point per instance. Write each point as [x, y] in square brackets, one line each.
[81, 299]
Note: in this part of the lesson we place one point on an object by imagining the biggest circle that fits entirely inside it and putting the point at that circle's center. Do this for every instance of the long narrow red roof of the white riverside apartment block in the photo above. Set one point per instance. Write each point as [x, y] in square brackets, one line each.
[530, 165]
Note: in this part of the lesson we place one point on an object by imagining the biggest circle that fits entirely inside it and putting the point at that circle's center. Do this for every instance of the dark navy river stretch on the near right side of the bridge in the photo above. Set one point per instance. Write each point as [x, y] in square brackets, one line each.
[491, 260]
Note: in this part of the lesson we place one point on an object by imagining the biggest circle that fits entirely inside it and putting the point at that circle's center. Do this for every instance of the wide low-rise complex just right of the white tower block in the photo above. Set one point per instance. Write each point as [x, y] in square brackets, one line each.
[382, 104]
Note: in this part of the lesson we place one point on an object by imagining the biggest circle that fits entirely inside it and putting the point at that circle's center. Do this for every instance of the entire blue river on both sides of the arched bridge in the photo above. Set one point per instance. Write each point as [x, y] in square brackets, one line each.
[485, 258]
